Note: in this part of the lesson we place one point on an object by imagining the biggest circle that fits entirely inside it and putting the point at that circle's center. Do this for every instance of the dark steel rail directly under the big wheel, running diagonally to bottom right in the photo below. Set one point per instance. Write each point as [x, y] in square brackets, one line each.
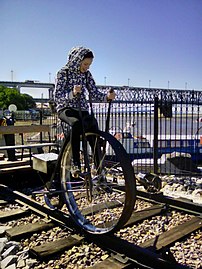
[133, 253]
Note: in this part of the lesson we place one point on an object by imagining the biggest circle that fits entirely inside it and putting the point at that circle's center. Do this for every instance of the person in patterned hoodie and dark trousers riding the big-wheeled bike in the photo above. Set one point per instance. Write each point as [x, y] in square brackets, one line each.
[74, 82]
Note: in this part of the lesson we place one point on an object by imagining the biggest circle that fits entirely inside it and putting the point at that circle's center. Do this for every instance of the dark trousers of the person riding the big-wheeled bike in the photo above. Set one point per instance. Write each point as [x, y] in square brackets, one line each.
[71, 117]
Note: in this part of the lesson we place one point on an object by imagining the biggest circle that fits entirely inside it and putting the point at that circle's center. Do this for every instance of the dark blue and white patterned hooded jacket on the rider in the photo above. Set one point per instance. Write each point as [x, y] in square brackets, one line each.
[69, 76]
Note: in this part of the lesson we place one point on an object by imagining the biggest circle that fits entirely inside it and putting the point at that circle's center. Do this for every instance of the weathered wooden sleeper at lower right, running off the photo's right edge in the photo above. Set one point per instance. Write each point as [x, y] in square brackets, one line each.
[173, 235]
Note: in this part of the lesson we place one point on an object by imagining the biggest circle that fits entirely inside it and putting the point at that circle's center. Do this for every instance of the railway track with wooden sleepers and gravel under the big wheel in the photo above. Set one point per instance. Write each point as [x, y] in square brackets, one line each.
[157, 227]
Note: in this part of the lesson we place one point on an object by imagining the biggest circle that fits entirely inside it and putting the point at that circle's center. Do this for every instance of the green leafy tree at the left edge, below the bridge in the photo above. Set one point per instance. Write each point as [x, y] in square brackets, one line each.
[13, 96]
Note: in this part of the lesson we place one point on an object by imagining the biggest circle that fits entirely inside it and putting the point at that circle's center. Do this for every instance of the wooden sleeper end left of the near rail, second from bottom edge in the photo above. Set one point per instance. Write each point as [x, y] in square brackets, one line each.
[59, 245]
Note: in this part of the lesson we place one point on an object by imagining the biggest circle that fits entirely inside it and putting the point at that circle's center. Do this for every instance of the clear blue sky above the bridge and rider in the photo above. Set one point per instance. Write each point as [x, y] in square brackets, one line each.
[140, 43]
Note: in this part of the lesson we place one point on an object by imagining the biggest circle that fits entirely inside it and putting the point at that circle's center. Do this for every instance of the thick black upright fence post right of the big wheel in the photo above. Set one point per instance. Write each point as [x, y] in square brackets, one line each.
[155, 141]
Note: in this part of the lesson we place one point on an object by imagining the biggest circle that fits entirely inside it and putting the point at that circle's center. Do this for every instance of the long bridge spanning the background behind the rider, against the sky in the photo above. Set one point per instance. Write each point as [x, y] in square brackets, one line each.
[125, 93]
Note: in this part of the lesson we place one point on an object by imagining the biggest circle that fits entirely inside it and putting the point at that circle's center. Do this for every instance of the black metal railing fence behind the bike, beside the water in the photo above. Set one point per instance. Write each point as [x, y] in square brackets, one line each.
[160, 129]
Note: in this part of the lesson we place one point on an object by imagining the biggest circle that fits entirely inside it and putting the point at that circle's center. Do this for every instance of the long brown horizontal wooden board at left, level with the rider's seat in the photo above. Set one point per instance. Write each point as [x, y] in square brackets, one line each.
[12, 129]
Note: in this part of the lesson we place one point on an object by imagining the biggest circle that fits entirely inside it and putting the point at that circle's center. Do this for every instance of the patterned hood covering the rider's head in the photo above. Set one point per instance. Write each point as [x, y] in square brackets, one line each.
[75, 56]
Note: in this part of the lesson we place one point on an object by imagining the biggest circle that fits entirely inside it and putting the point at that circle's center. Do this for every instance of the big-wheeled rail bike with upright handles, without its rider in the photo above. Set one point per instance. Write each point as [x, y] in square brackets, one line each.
[101, 196]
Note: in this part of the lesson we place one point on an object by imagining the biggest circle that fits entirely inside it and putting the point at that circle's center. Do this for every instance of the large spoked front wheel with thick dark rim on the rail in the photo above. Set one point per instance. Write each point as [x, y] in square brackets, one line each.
[102, 197]
